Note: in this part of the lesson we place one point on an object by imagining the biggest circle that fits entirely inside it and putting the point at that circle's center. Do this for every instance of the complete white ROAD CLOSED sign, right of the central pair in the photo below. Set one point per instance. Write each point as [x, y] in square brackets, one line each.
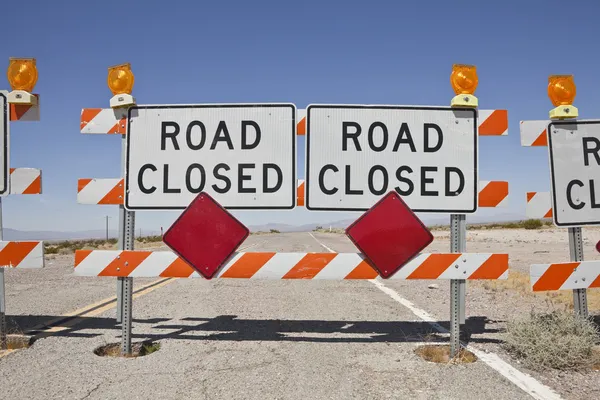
[357, 154]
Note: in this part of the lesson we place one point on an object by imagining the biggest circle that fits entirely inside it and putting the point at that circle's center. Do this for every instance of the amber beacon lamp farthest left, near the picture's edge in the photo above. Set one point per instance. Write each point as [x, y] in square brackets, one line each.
[22, 77]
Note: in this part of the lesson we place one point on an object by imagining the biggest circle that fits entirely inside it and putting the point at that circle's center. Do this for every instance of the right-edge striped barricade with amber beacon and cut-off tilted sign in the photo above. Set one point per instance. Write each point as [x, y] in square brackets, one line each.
[567, 140]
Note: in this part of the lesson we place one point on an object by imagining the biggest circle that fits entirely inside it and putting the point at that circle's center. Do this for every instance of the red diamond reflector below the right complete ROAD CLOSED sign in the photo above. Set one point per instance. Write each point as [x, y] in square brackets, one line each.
[389, 234]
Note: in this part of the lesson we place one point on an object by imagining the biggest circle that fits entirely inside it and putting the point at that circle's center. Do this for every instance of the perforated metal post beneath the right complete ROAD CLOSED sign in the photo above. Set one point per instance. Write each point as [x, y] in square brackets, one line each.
[458, 244]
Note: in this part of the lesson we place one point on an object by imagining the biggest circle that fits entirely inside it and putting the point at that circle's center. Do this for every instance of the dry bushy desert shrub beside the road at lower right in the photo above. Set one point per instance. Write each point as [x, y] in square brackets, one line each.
[559, 340]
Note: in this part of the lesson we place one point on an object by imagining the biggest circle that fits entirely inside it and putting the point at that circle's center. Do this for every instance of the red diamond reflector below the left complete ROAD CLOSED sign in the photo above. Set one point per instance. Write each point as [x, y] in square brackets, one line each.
[205, 235]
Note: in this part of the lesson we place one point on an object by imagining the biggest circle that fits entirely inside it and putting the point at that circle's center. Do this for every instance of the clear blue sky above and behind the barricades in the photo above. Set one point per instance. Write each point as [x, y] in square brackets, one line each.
[274, 51]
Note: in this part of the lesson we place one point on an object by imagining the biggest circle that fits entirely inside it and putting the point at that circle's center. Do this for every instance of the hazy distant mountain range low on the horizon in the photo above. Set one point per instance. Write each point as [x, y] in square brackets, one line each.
[14, 234]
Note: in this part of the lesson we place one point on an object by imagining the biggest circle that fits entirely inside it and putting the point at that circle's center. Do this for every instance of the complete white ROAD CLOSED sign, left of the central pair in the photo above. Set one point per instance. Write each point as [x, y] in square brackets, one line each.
[242, 155]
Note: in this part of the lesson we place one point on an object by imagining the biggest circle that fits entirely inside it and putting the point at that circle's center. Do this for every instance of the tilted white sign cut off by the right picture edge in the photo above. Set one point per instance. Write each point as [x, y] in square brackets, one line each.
[574, 149]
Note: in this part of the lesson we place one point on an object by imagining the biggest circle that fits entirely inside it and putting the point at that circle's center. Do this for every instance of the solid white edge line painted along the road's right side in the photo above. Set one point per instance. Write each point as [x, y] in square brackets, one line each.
[524, 381]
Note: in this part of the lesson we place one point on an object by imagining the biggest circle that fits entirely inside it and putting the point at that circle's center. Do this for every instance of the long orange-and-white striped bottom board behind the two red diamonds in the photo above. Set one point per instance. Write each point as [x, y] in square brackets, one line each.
[275, 266]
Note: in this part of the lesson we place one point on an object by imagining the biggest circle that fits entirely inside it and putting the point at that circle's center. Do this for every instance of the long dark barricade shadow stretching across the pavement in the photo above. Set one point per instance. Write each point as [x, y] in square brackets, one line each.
[230, 328]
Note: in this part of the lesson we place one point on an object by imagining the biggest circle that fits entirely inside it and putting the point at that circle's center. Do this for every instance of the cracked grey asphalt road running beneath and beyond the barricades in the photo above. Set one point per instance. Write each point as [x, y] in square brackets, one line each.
[236, 339]
